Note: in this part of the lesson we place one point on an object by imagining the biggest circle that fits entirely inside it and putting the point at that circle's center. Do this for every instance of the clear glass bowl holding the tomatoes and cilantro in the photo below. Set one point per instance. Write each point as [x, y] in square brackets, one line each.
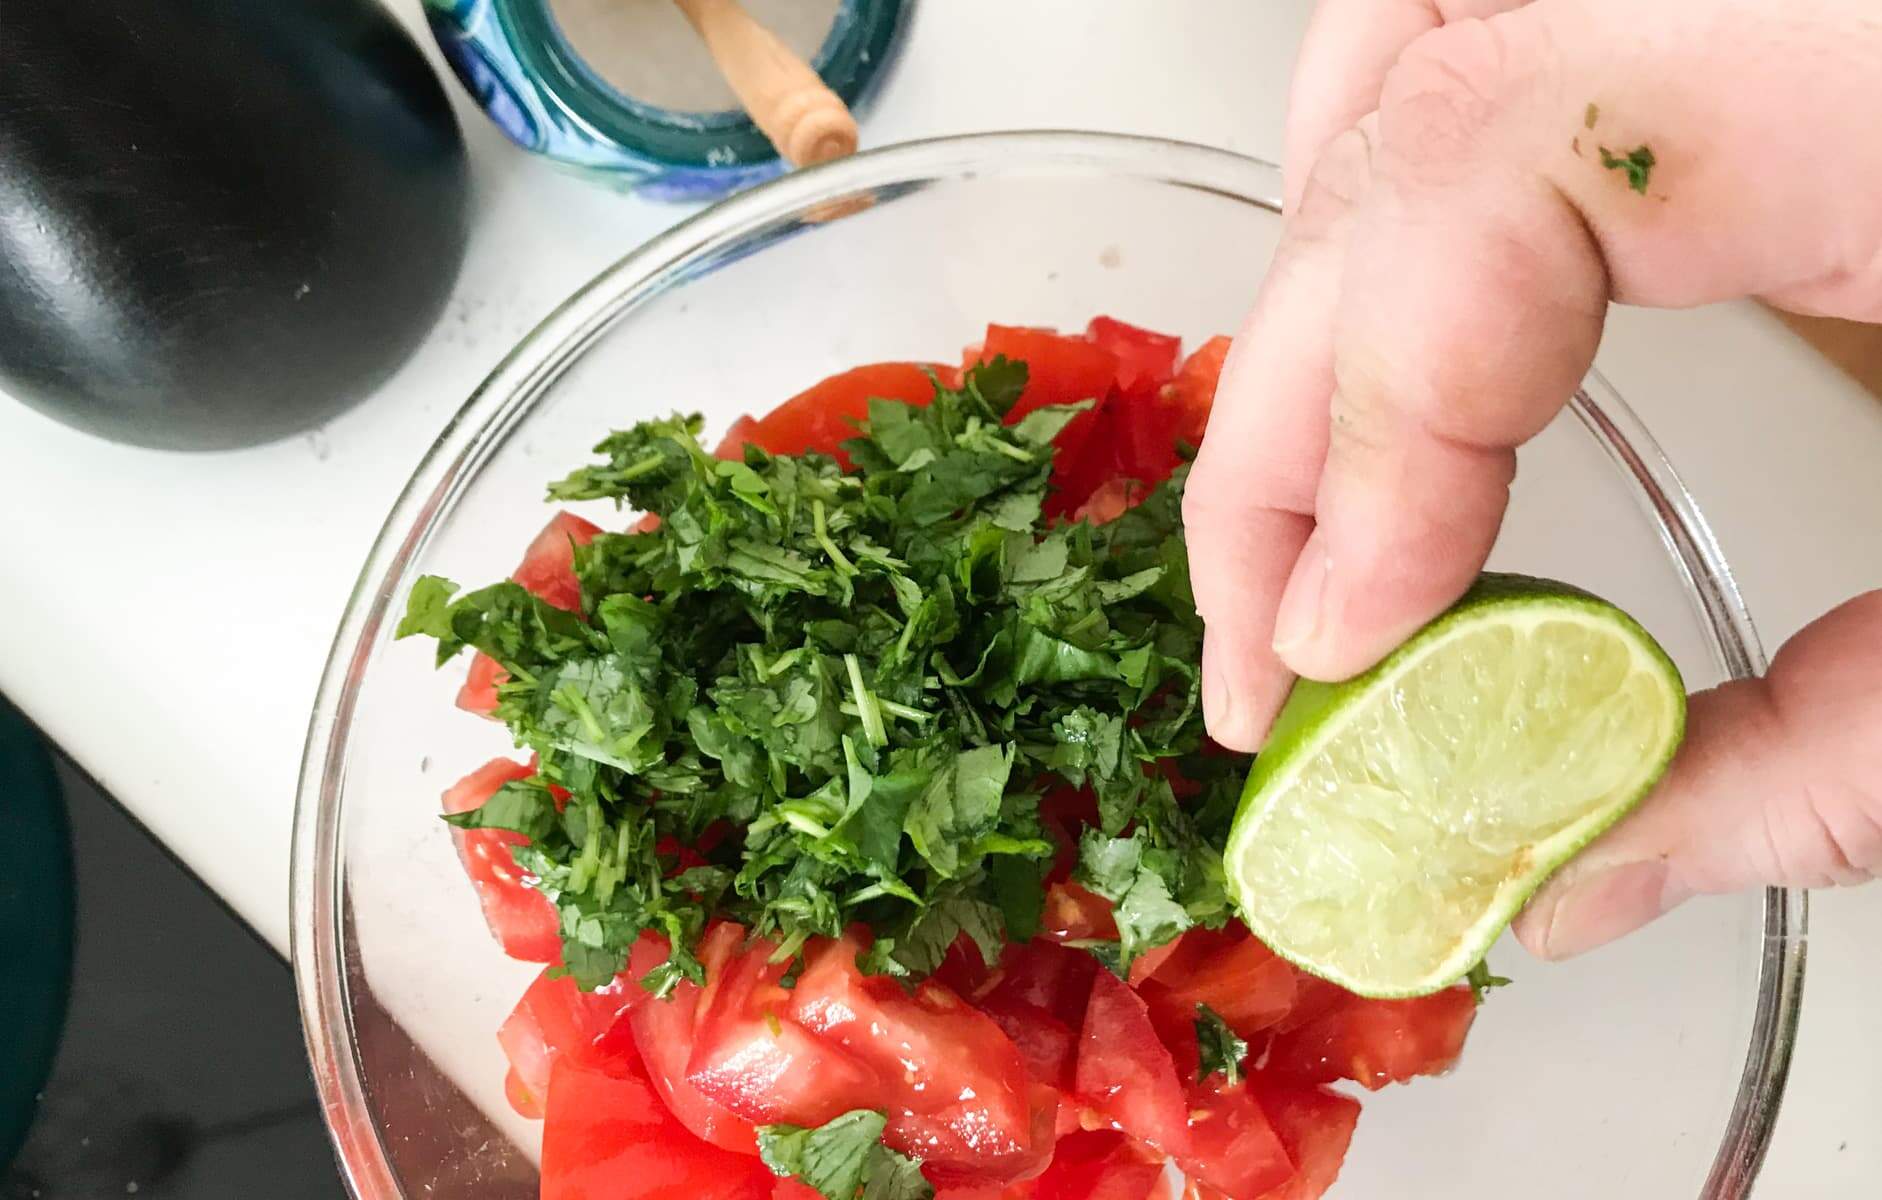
[1648, 1071]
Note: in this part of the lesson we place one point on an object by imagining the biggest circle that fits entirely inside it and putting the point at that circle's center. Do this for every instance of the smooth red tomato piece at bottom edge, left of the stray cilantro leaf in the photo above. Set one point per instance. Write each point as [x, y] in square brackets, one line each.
[609, 1137]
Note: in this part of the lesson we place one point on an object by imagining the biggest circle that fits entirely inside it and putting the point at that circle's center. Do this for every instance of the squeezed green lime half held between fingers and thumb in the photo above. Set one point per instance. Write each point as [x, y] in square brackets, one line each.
[1397, 823]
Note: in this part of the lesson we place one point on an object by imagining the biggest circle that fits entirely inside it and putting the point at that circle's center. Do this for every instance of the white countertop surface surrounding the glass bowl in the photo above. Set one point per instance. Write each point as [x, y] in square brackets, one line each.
[170, 624]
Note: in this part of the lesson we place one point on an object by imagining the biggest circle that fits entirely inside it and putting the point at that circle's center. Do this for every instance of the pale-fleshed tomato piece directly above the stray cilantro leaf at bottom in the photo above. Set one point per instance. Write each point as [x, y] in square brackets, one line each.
[754, 1060]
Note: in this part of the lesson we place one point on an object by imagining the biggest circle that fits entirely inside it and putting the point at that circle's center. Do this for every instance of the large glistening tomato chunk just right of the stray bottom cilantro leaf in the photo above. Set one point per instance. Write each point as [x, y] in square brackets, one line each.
[953, 1084]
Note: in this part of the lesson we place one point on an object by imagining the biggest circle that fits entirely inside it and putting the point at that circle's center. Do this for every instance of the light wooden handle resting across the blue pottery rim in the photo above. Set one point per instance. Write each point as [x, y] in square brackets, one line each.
[803, 118]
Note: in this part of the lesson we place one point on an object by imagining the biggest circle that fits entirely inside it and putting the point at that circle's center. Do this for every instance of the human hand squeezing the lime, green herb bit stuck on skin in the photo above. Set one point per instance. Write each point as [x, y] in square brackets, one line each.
[1469, 185]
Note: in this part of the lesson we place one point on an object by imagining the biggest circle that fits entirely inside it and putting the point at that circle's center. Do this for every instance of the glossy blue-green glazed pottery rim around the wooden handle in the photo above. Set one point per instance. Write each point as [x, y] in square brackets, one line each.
[518, 65]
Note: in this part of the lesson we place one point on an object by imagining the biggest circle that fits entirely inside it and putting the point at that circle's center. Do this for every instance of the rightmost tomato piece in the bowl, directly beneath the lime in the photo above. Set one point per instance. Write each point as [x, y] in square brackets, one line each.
[1377, 1043]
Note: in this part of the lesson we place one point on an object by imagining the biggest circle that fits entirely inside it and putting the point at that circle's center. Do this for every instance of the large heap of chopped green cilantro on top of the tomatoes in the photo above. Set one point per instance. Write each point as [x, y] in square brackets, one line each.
[870, 680]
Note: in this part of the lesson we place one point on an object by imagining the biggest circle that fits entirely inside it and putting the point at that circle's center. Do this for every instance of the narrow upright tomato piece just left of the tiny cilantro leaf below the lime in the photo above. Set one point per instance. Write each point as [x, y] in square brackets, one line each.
[1124, 1069]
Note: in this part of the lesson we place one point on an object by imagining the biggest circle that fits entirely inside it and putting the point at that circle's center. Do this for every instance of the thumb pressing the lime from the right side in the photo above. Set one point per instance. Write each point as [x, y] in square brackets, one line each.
[1779, 785]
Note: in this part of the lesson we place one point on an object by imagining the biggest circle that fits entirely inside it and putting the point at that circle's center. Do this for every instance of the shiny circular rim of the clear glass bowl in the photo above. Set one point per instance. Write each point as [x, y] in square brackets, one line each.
[799, 200]
